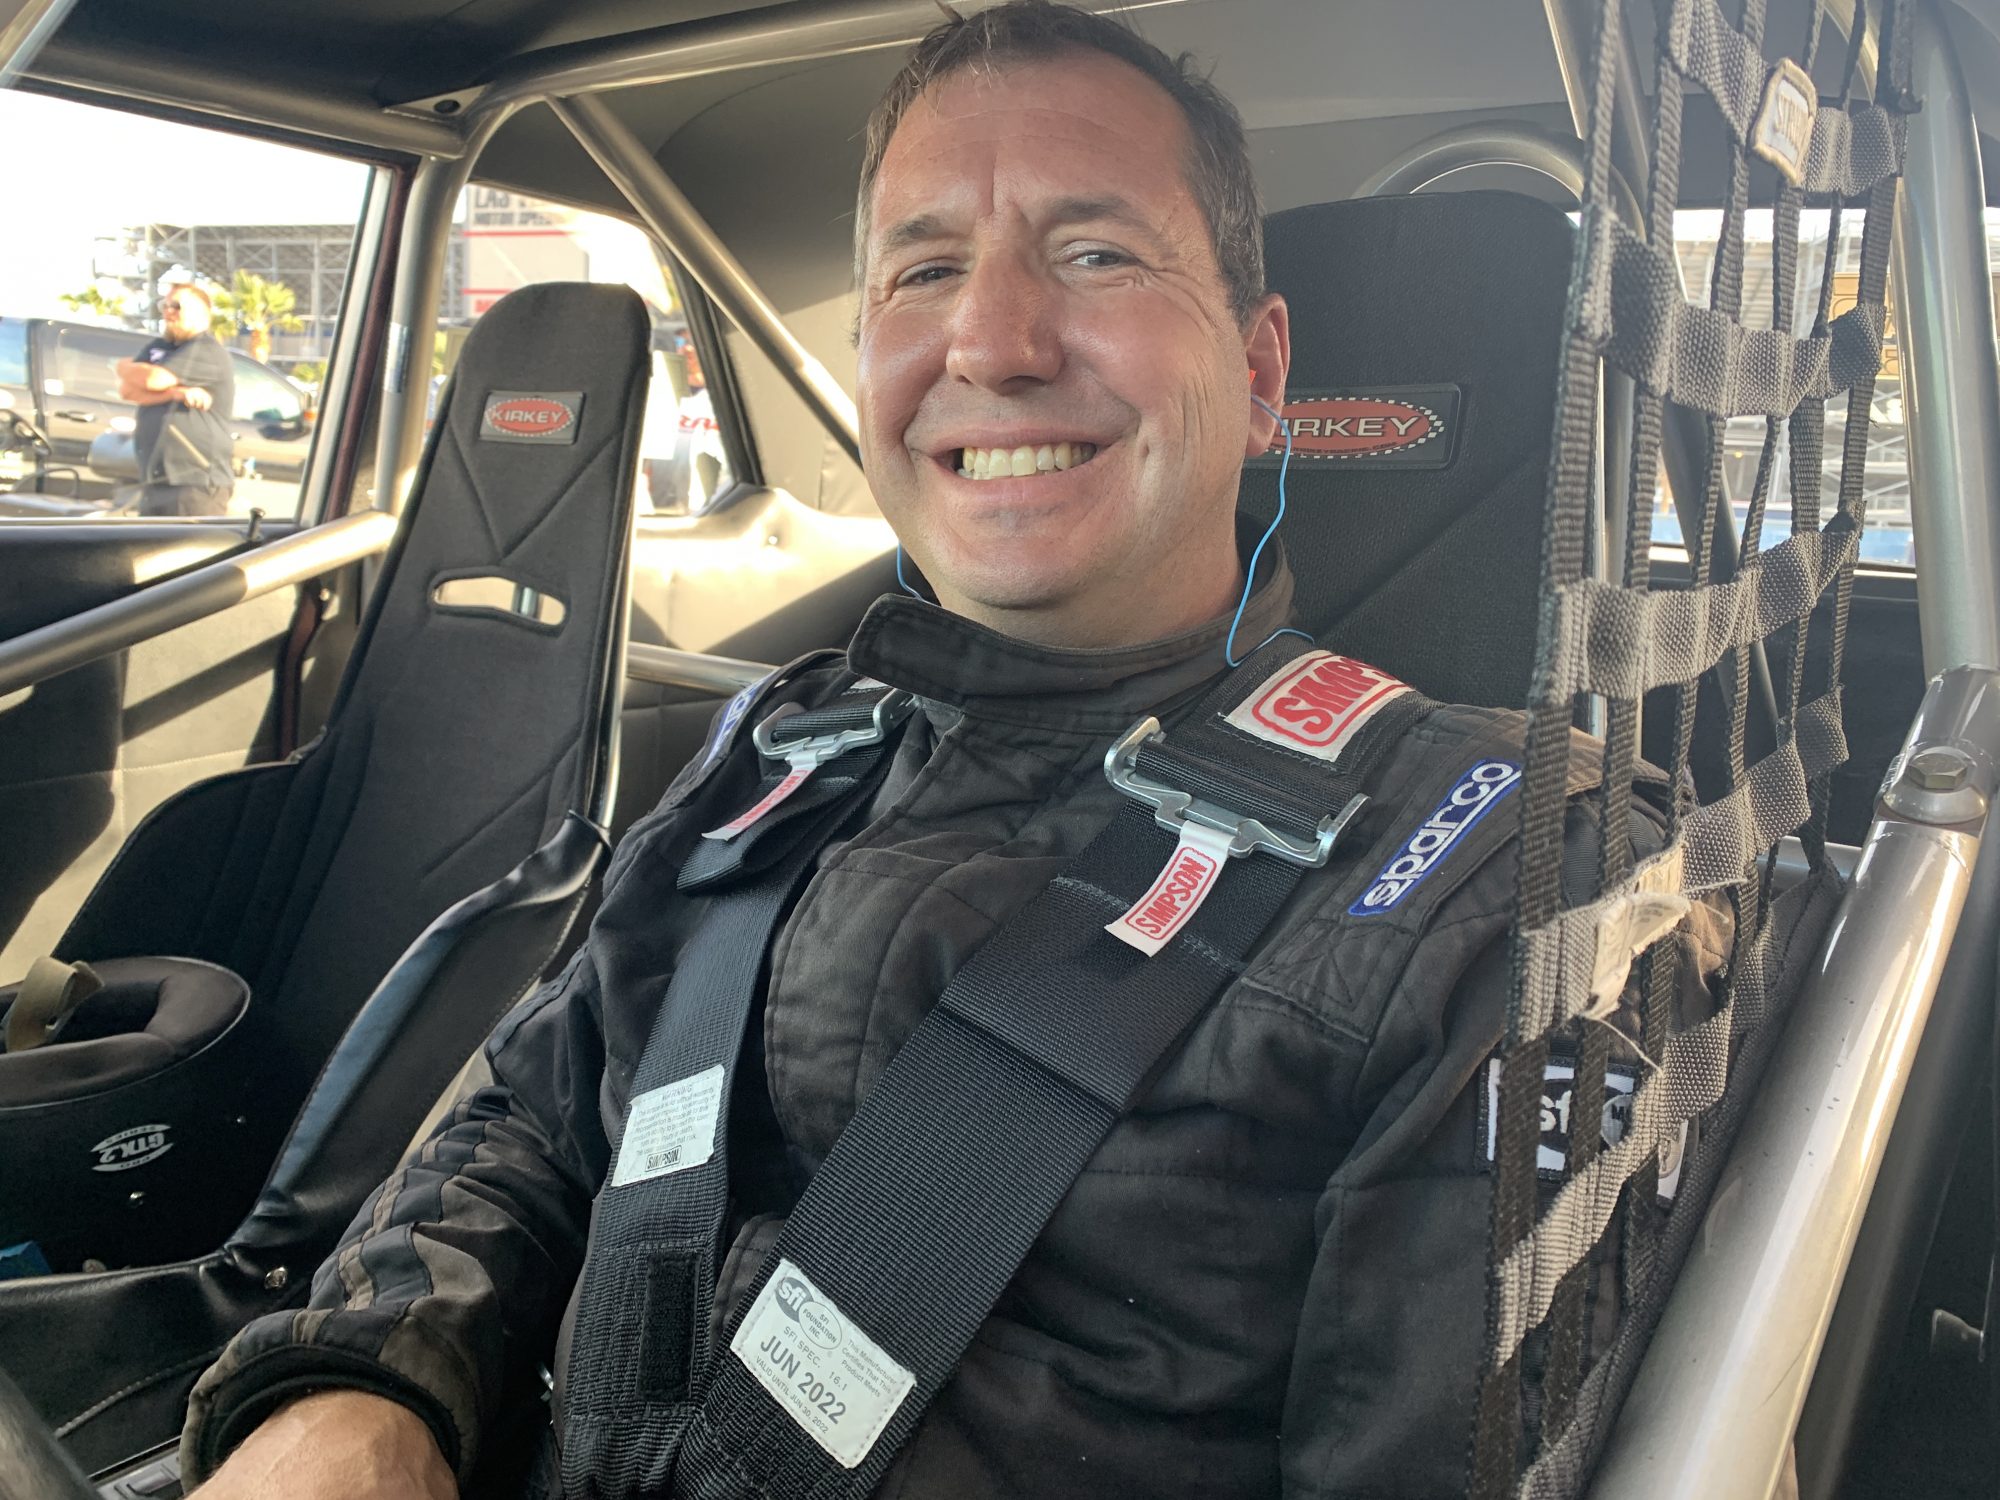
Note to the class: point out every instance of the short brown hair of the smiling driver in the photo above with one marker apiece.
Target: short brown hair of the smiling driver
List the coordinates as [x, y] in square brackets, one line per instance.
[1023, 31]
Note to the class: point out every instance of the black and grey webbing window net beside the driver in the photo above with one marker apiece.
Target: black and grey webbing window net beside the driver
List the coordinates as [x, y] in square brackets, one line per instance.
[1585, 975]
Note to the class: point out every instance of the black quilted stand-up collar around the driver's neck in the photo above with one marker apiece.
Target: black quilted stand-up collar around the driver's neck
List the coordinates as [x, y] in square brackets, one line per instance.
[985, 675]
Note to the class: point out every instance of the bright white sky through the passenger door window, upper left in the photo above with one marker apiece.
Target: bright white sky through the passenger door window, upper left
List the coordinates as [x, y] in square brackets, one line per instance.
[77, 173]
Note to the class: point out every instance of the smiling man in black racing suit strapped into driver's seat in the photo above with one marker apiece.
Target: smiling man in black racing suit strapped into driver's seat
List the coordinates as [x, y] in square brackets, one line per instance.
[1271, 1273]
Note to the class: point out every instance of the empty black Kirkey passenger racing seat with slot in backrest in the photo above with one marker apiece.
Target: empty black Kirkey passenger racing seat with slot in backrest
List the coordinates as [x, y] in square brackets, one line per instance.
[463, 773]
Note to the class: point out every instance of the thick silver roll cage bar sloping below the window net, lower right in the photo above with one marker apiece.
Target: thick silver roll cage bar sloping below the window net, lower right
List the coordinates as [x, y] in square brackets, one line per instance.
[1721, 1389]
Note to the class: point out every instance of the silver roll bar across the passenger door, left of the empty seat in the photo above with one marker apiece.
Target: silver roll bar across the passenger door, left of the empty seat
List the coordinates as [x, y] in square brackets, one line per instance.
[191, 597]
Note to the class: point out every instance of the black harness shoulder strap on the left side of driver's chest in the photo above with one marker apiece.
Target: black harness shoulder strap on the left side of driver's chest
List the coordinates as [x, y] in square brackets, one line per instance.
[641, 1341]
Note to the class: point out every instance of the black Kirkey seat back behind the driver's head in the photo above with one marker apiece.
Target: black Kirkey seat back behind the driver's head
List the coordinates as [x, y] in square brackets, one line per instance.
[1425, 345]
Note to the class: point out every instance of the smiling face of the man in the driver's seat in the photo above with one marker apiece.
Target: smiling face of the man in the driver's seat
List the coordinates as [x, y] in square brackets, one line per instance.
[1055, 391]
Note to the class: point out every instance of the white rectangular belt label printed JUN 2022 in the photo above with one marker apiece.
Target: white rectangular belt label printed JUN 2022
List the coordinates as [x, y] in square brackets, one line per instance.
[829, 1377]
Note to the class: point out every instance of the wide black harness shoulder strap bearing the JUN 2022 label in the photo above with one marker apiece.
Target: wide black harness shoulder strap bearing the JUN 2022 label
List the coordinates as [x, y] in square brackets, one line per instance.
[953, 1165]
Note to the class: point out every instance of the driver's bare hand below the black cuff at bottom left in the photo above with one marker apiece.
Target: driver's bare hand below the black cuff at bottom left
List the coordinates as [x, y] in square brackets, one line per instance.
[337, 1445]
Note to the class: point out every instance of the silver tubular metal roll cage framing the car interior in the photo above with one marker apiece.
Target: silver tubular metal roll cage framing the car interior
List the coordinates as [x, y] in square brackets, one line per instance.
[1727, 1379]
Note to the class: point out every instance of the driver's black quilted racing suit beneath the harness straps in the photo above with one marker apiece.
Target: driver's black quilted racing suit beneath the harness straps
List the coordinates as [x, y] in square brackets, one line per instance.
[1267, 1283]
